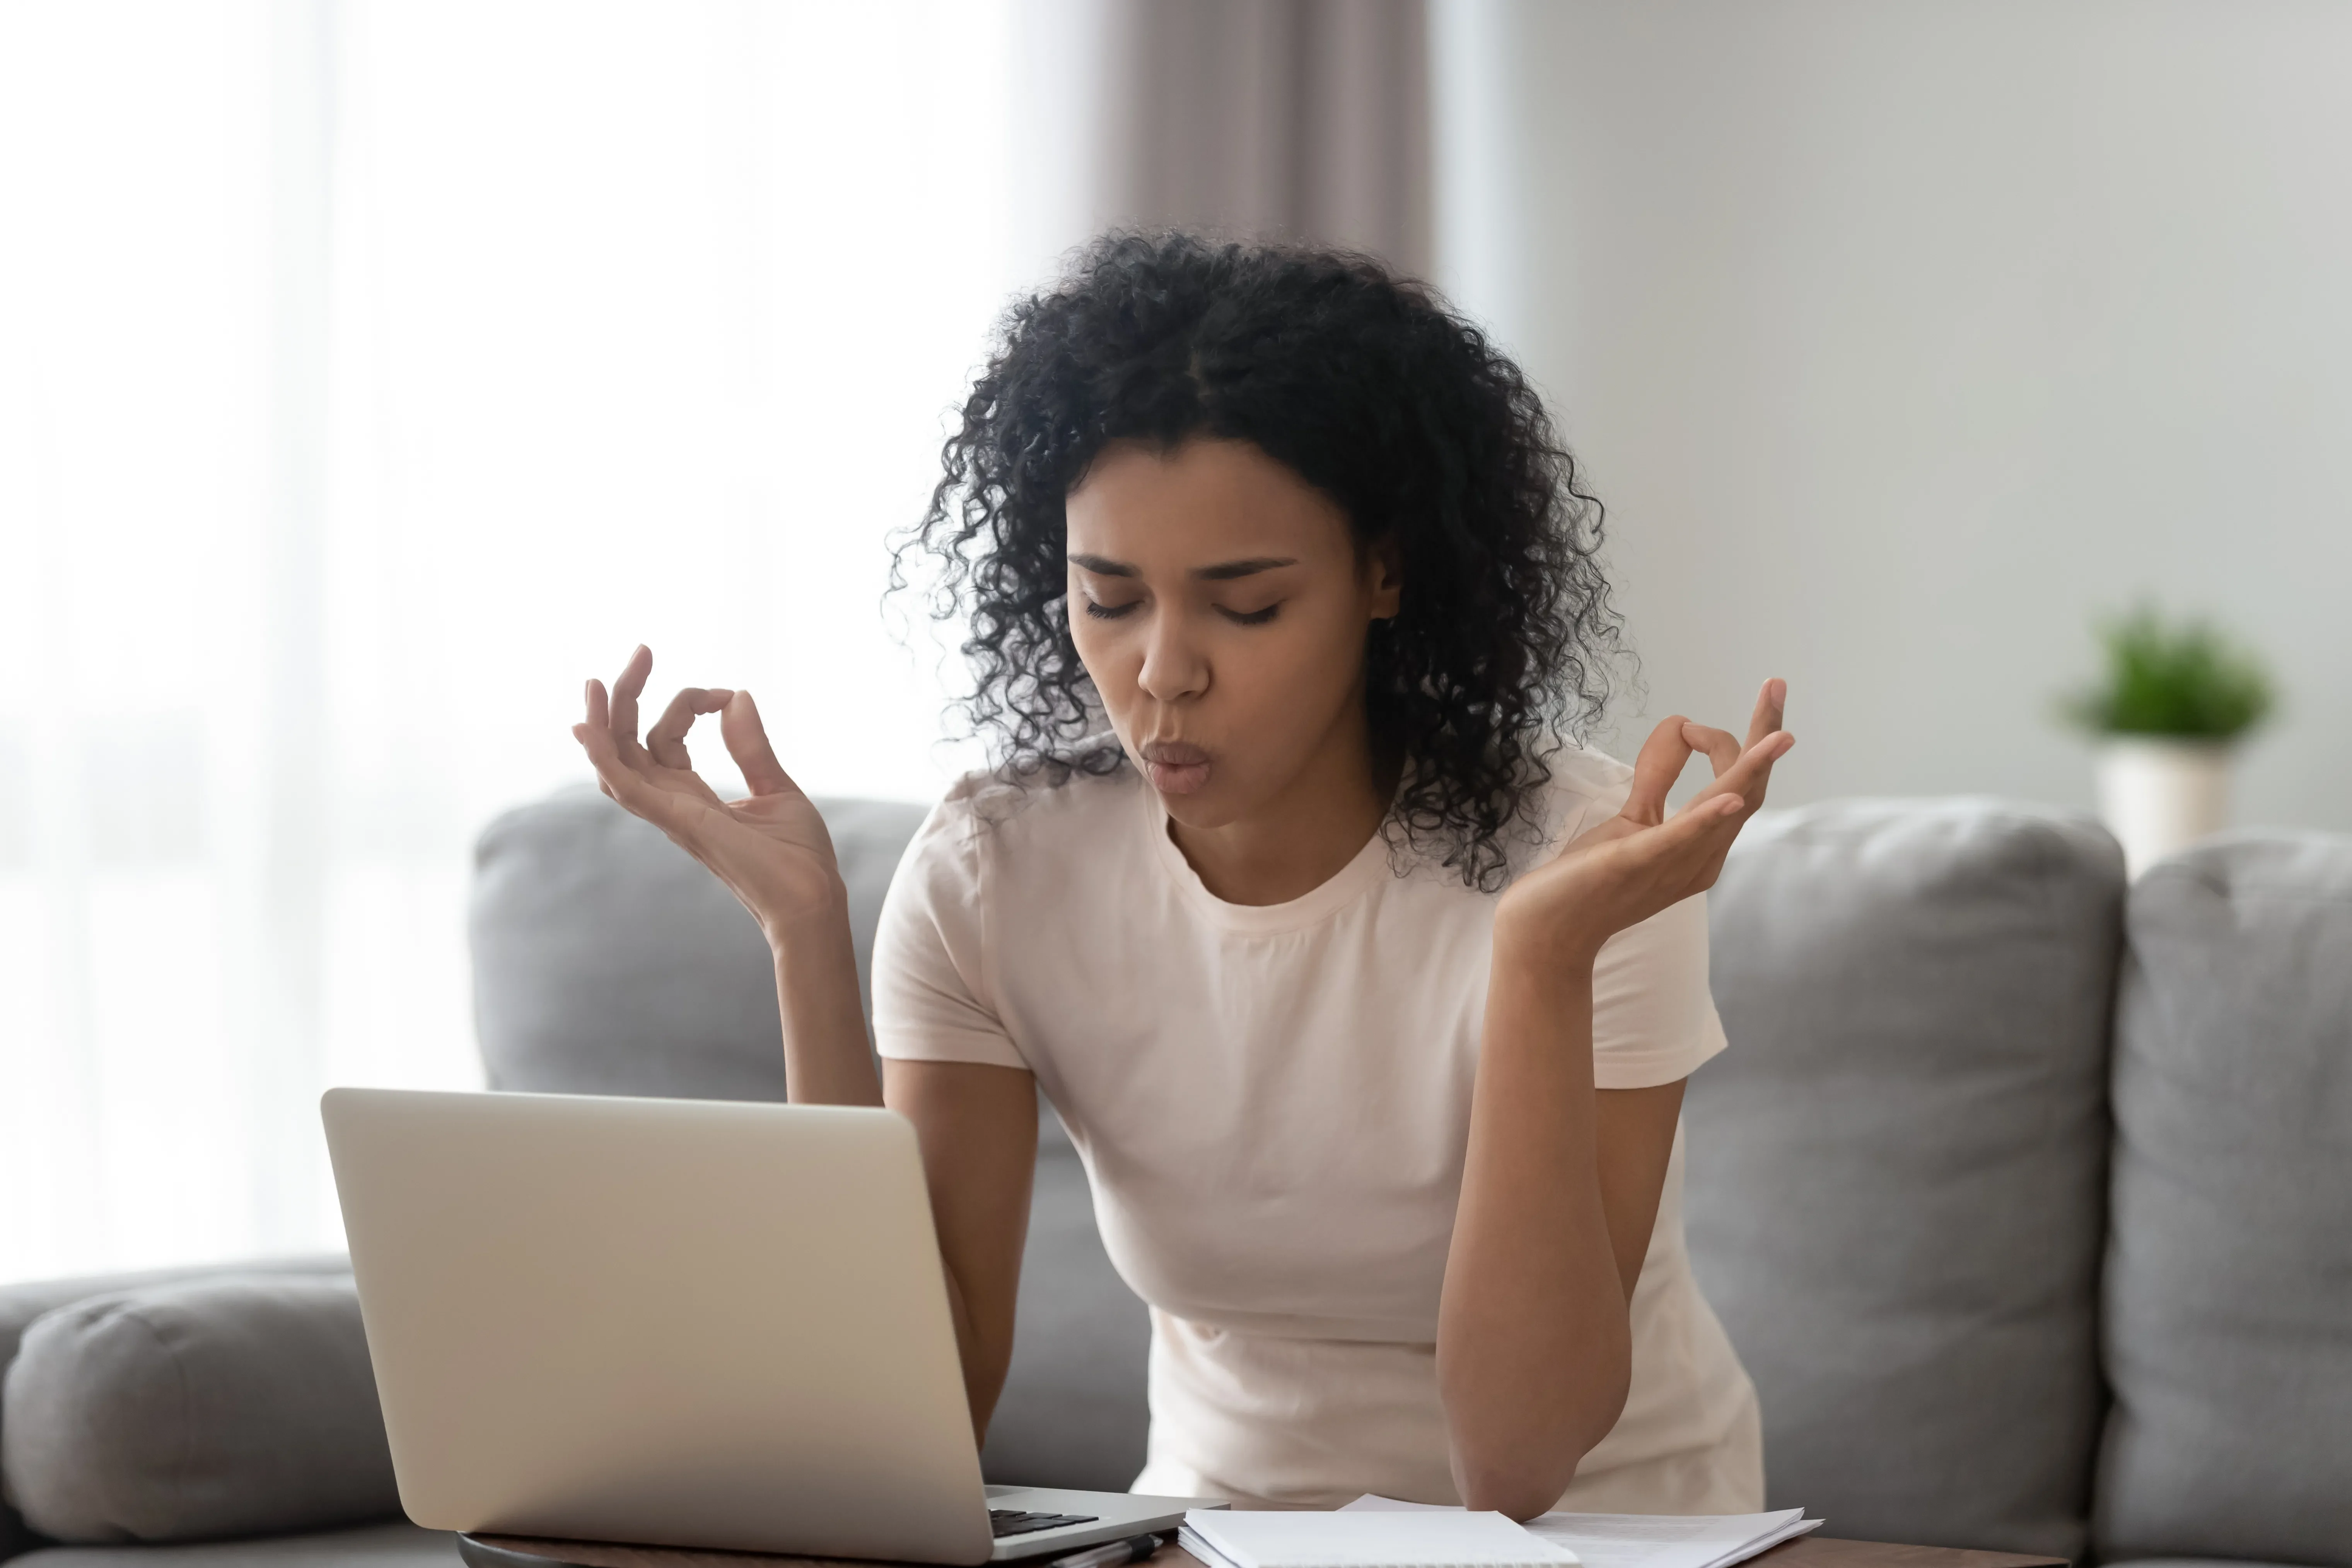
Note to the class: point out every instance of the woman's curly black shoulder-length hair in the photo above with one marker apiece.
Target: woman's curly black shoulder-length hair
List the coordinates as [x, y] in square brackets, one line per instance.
[1372, 391]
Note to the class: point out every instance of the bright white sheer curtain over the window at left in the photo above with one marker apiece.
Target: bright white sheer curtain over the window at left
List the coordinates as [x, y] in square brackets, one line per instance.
[370, 375]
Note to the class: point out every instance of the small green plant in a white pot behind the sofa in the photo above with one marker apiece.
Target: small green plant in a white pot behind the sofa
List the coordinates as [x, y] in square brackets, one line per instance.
[2174, 702]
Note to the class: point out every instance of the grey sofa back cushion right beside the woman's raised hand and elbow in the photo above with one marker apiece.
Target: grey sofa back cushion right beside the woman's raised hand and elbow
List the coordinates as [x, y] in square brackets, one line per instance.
[1895, 1188]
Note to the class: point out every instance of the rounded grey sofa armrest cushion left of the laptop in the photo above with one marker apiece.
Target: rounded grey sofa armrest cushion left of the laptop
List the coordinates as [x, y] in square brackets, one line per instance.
[199, 1409]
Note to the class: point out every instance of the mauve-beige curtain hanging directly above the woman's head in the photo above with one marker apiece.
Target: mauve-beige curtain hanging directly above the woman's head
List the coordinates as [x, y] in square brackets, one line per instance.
[1264, 119]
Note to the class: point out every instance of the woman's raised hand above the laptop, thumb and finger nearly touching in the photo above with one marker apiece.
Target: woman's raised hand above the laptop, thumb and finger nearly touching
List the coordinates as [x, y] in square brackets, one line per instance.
[770, 850]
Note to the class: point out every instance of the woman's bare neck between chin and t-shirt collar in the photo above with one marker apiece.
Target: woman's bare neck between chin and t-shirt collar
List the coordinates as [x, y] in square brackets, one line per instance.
[1302, 838]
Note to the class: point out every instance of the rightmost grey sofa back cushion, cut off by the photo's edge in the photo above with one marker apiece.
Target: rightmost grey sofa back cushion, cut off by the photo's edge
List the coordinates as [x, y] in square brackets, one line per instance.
[2229, 1299]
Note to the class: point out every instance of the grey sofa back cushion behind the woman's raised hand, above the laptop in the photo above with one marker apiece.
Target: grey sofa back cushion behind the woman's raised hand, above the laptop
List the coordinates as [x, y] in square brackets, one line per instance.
[608, 960]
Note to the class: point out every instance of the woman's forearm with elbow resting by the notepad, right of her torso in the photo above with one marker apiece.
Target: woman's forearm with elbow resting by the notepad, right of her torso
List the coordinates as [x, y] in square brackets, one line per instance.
[1532, 1336]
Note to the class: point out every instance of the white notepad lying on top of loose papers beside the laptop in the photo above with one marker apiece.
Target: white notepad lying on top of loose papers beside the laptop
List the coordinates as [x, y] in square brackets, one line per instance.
[1436, 1539]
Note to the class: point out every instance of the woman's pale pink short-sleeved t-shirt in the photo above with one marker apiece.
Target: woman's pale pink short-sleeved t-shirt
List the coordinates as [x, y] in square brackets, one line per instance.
[1274, 1108]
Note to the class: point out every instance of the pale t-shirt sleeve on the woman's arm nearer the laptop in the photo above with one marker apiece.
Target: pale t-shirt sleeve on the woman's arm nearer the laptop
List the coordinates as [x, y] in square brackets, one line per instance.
[933, 996]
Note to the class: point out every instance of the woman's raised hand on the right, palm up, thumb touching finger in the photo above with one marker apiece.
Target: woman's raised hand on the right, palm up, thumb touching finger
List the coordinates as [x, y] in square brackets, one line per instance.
[1641, 862]
